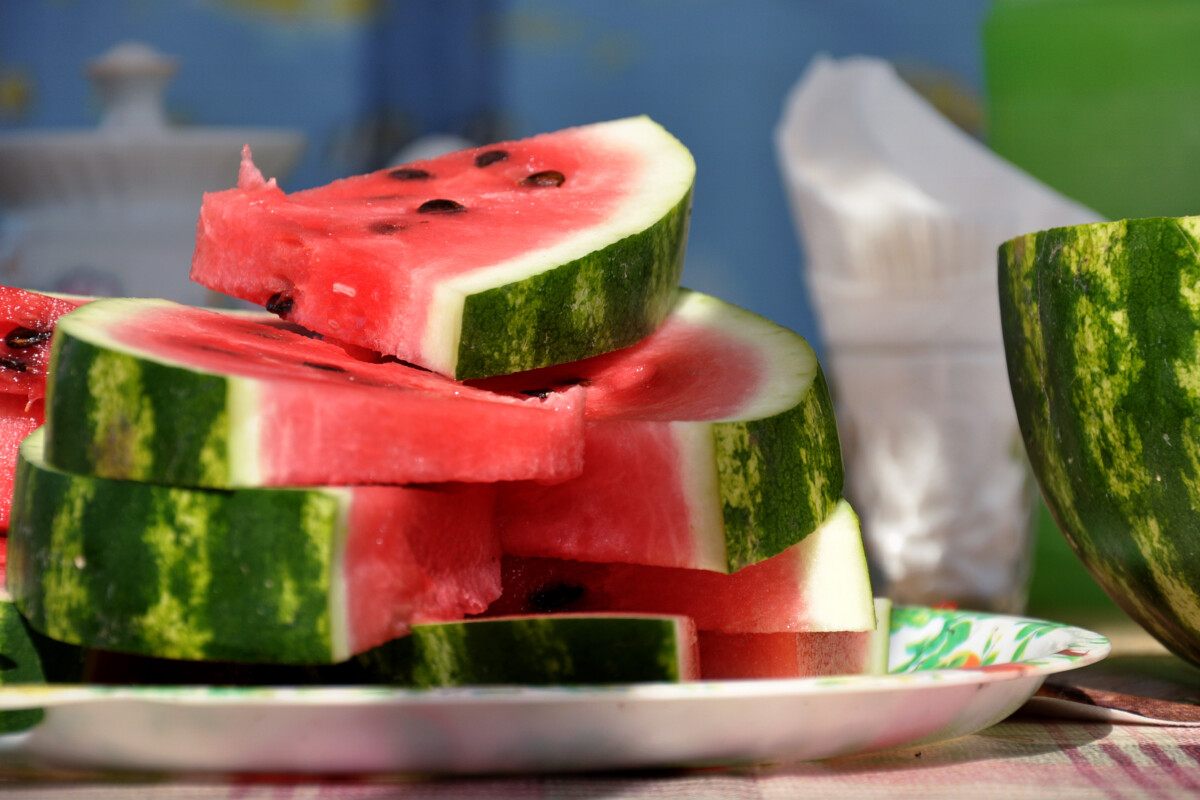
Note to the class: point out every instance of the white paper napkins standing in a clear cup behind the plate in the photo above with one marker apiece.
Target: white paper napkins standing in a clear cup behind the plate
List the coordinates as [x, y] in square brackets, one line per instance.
[901, 215]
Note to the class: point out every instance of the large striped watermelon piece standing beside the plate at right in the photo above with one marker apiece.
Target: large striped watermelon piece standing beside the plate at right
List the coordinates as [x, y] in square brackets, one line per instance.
[1102, 332]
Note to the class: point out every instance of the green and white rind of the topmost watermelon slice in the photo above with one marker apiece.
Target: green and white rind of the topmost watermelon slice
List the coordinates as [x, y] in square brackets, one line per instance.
[599, 291]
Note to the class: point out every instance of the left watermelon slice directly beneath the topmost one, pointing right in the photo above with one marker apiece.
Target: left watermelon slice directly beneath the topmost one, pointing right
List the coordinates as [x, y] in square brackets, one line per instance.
[155, 392]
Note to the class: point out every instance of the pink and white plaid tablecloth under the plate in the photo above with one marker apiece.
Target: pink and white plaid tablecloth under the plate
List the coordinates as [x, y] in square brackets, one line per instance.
[1022, 757]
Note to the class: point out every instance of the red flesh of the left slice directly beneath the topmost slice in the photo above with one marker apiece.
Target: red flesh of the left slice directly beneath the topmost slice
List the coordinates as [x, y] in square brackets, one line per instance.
[327, 418]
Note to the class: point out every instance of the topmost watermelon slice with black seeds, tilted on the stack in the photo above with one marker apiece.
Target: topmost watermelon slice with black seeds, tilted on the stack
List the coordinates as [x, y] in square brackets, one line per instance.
[477, 263]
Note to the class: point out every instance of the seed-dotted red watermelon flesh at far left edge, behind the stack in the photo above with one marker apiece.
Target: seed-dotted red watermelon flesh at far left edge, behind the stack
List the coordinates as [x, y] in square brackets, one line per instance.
[27, 322]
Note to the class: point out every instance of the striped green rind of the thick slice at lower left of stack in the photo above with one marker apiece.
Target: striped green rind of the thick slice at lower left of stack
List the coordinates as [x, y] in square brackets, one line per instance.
[237, 576]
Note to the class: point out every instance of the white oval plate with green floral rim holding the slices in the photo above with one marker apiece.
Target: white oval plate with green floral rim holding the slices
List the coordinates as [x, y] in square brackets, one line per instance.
[952, 673]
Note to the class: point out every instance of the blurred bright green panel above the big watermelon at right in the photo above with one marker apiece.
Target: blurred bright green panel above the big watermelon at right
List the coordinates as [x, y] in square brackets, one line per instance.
[1100, 99]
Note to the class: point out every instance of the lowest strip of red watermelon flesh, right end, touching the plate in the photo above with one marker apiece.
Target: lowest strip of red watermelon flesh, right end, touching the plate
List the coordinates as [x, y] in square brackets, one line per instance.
[728, 657]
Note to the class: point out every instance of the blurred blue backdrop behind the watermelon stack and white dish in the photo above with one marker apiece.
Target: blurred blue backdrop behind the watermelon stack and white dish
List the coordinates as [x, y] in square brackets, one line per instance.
[364, 79]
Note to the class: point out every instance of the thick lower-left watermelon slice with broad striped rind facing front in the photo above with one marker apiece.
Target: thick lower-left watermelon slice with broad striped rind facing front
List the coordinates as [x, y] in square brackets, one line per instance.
[293, 576]
